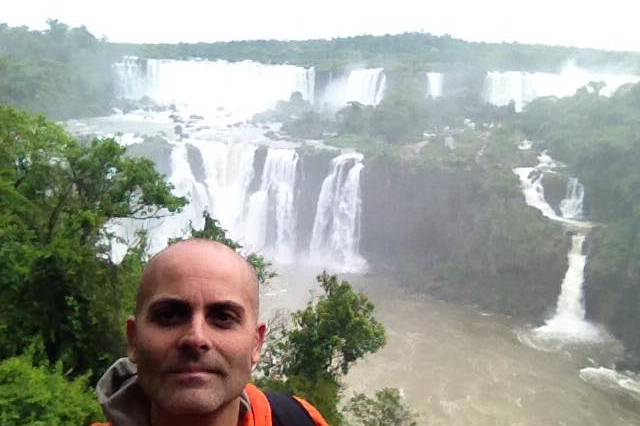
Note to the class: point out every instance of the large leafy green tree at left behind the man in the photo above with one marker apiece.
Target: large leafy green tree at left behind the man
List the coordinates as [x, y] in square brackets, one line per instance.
[58, 283]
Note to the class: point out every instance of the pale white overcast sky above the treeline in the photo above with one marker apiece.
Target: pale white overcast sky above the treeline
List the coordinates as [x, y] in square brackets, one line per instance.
[611, 24]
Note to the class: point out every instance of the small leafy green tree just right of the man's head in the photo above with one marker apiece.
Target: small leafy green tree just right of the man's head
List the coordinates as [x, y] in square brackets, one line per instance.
[326, 338]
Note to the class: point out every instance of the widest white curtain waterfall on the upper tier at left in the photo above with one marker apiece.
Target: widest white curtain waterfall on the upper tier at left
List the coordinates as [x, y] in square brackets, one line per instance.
[204, 87]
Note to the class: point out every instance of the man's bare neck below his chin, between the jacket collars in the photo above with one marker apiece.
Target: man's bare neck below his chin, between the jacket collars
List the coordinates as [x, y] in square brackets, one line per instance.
[227, 415]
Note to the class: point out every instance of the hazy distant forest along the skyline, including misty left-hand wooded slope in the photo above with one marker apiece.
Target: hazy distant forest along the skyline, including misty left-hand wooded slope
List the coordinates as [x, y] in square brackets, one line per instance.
[66, 72]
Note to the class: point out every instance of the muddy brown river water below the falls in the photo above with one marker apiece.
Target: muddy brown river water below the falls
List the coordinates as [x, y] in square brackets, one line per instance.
[458, 366]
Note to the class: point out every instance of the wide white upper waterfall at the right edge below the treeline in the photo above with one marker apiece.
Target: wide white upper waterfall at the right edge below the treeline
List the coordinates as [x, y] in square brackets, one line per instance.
[500, 88]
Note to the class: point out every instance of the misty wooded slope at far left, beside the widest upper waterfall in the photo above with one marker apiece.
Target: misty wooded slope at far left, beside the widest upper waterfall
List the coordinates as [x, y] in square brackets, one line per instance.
[63, 72]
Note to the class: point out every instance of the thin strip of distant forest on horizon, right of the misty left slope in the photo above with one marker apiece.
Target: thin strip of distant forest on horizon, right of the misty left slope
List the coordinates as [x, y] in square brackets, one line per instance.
[413, 50]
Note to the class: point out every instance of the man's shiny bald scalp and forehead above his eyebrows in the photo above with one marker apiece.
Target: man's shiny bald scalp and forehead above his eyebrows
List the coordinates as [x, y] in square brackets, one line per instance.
[201, 258]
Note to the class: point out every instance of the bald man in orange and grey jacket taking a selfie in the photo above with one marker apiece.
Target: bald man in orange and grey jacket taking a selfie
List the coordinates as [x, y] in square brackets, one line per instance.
[192, 345]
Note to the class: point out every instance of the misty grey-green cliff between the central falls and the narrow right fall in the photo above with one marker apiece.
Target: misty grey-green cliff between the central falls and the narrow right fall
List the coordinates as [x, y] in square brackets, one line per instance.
[448, 232]
